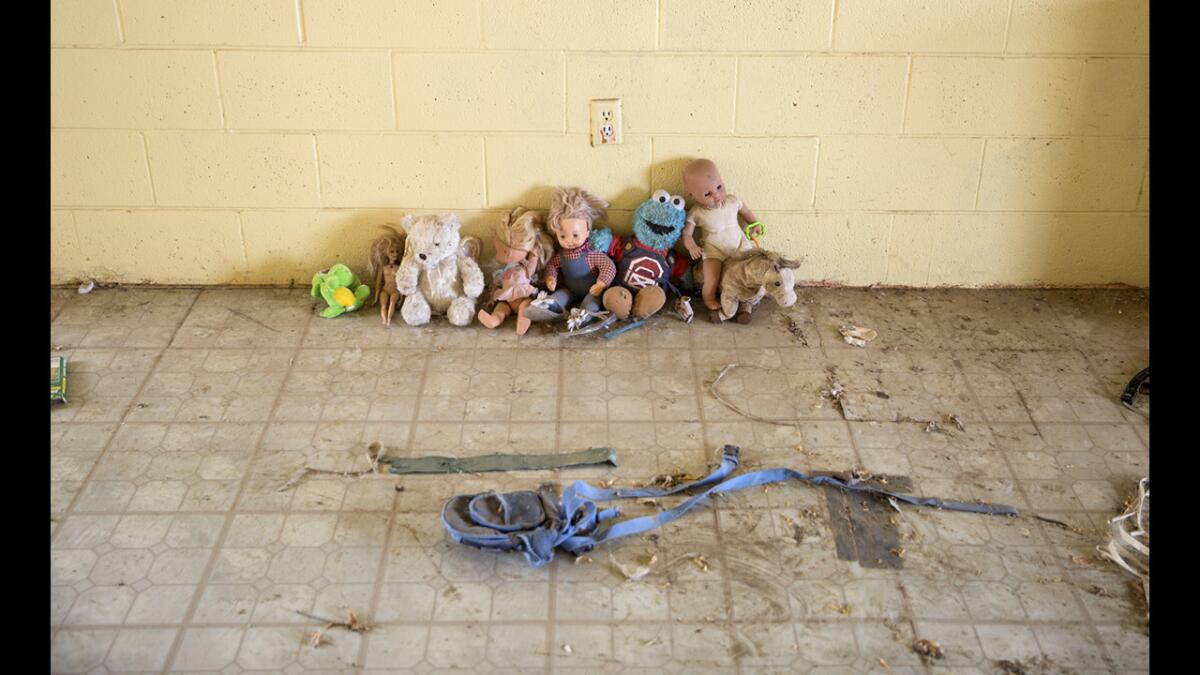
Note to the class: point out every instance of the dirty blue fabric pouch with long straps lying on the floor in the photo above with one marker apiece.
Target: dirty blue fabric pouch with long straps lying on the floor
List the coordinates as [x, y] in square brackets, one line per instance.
[525, 521]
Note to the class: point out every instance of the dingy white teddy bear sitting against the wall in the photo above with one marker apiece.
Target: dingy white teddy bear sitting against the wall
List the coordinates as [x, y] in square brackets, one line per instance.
[439, 274]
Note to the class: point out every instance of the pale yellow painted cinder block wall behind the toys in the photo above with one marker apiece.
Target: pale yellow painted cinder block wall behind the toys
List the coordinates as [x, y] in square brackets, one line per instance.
[967, 144]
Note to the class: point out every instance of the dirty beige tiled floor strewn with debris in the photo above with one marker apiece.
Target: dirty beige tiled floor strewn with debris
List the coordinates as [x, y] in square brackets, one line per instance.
[173, 548]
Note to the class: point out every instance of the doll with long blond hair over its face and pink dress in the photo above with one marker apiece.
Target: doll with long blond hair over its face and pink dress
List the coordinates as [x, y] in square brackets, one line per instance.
[523, 249]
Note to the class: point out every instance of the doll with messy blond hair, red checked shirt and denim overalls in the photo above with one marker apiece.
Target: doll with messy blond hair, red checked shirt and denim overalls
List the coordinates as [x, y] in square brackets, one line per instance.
[584, 273]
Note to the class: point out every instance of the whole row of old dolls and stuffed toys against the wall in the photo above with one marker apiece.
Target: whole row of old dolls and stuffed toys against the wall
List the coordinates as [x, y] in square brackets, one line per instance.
[428, 268]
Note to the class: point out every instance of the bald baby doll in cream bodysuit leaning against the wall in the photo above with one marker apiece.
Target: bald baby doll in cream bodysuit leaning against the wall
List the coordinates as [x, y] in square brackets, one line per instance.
[716, 213]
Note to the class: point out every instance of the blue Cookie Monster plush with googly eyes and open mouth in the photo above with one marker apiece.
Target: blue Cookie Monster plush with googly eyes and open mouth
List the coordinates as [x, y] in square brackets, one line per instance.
[646, 264]
